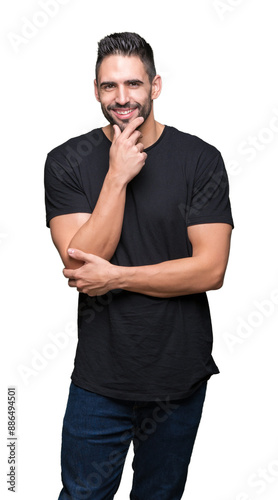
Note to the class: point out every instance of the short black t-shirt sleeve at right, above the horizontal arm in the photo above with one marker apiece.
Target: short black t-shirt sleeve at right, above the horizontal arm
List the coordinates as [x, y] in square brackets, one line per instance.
[210, 200]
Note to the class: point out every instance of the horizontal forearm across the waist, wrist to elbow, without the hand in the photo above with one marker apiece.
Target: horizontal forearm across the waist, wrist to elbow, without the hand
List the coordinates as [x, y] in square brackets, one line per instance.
[171, 278]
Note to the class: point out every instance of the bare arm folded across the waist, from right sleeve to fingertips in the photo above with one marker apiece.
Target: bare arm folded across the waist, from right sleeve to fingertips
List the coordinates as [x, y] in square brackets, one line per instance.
[203, 271]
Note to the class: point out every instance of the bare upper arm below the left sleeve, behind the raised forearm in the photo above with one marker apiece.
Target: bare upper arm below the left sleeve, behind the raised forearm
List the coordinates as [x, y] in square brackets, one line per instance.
[63, 228]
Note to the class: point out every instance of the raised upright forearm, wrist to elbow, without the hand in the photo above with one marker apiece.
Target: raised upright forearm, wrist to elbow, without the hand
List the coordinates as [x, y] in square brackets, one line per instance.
[101, 233]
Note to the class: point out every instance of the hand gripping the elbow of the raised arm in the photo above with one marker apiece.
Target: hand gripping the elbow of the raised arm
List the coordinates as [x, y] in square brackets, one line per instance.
[95, 277]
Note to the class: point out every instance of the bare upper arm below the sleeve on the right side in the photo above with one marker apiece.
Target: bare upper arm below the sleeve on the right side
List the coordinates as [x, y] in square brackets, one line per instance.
[211, 243]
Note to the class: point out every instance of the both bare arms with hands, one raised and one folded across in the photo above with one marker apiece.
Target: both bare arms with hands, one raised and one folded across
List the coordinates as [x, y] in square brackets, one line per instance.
[87, 242]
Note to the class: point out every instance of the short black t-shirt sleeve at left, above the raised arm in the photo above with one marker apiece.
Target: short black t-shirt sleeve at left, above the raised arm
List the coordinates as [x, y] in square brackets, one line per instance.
[63, 189]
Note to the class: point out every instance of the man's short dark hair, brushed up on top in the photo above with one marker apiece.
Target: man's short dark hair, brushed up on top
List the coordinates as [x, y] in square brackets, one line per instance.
[127, 44]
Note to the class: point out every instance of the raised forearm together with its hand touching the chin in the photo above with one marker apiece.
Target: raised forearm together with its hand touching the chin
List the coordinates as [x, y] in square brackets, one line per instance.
[100, 233]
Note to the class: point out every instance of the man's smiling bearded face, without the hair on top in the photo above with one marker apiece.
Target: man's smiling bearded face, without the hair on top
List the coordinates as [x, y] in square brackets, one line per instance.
[123, 89]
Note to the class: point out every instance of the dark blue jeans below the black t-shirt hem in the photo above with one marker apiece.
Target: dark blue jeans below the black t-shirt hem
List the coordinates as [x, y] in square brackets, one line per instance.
[97, 433]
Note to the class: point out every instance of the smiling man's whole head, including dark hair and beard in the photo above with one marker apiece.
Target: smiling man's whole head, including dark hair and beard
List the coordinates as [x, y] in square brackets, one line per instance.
[126, 82]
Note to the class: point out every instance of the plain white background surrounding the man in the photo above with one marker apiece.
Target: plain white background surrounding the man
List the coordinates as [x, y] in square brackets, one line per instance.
[218, 61]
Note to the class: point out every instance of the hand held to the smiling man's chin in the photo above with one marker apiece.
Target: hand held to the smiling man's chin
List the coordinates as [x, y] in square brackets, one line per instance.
[127, 156]
